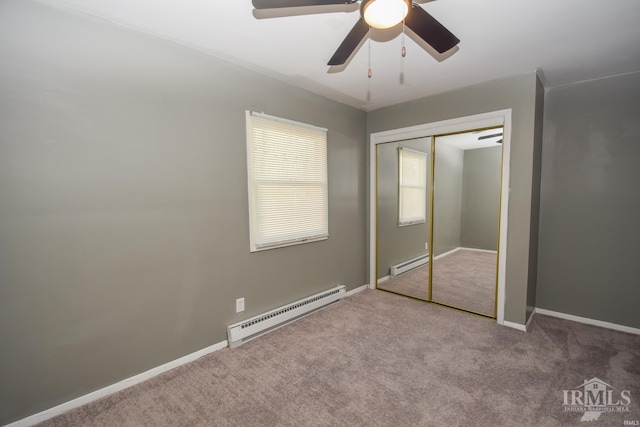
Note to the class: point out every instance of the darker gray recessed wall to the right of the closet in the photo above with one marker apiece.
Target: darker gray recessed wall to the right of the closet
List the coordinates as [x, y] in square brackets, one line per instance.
[590, 201]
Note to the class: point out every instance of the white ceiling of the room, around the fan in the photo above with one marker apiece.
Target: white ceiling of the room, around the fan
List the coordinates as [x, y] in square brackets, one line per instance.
[569, 40]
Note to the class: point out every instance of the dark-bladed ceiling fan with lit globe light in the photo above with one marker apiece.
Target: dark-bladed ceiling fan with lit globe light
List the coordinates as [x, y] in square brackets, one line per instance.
[379, 14]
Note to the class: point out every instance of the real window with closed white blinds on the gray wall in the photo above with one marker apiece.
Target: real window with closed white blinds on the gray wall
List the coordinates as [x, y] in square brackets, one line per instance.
[287, 176]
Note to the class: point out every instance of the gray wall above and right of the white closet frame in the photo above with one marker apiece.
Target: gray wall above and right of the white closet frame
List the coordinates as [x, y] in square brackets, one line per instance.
[521, 94]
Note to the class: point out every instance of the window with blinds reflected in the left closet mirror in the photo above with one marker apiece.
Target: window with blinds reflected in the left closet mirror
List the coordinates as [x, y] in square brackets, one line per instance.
[412, 194]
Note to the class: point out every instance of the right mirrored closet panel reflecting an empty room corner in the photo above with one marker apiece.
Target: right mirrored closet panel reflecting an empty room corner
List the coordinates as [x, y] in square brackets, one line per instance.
[466, 201]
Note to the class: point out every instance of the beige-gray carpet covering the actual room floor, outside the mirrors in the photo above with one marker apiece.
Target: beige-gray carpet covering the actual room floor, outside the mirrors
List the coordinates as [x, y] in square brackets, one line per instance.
[380, 359]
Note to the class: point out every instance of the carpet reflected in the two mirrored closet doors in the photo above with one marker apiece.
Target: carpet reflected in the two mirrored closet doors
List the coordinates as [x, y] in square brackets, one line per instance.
[464, 279]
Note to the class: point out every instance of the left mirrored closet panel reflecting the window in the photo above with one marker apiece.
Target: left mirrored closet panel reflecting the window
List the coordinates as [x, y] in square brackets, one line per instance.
[402, 221]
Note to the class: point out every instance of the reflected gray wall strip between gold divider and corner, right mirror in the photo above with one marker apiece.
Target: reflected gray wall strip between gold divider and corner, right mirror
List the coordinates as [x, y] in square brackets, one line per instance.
[447, 197]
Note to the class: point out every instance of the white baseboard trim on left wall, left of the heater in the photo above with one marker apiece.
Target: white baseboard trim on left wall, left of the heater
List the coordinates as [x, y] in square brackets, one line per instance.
[113, 388]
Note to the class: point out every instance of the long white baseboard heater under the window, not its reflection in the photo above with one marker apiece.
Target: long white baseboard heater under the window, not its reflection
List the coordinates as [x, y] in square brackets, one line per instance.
[251, 328]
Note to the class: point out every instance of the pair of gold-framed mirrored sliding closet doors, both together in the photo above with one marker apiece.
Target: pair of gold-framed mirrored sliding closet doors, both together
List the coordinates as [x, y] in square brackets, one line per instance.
[438, 204]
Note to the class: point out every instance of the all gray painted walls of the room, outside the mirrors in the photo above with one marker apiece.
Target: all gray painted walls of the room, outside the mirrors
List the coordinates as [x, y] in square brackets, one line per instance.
[123, 206]
